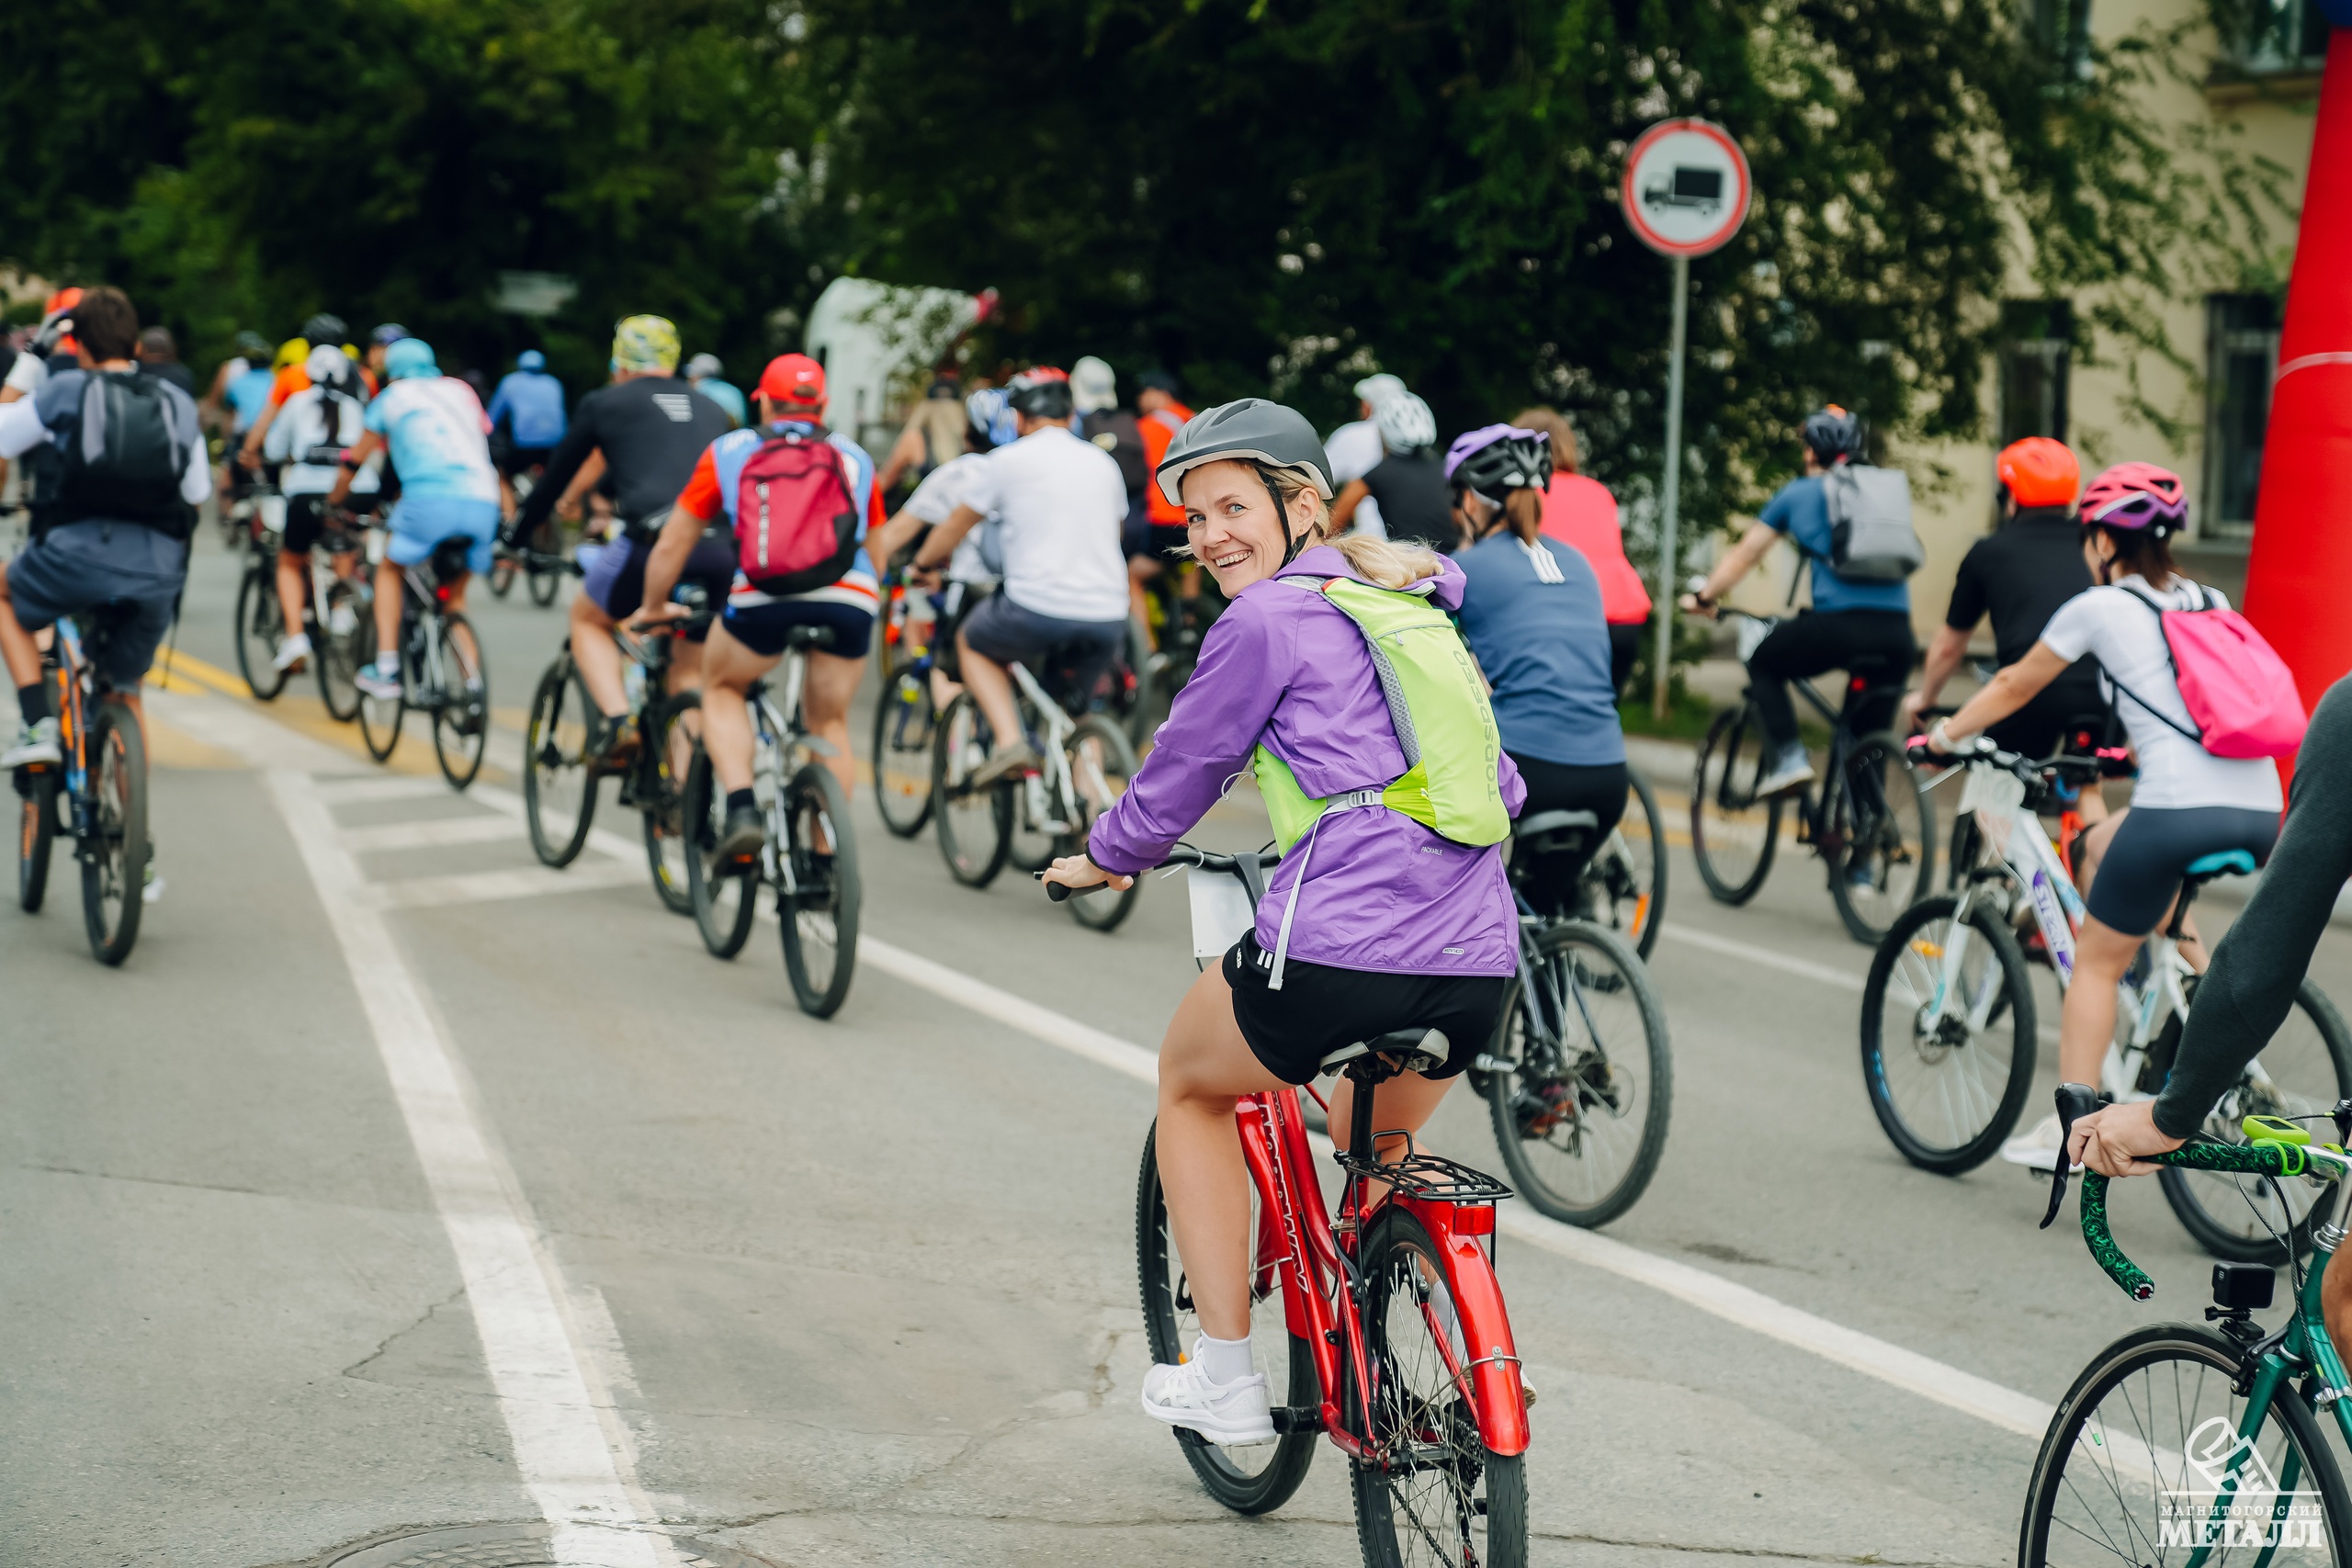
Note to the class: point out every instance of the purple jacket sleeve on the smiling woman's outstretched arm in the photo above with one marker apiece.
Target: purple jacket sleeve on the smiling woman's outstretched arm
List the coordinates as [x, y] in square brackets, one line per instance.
[1208, 739]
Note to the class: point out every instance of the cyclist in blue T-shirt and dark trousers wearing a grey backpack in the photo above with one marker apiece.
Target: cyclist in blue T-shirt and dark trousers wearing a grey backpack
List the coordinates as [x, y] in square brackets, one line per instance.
[1847, 624]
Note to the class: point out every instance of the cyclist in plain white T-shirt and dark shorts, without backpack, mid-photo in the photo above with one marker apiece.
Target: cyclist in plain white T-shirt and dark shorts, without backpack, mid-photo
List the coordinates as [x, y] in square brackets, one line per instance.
[1062, 610]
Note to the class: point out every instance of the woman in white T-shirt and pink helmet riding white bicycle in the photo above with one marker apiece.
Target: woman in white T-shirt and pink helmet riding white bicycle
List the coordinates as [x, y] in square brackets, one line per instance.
[2186, 805]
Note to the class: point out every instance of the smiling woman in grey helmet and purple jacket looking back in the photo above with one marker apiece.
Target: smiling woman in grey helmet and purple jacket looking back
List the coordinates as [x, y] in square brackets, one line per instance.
[1396, 927]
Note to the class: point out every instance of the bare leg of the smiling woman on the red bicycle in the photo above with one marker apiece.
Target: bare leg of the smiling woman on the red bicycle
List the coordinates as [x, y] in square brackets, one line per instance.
[1205, 1066]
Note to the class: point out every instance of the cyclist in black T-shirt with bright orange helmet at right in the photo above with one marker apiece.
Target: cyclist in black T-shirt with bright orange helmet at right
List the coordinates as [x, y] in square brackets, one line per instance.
[2022, 575]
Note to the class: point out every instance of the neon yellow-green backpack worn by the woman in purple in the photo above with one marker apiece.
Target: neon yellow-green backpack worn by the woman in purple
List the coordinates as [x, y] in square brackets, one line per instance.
[1445, 730]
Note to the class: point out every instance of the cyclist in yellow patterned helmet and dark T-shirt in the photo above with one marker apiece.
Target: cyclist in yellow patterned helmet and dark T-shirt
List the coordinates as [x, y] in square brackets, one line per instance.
[650, 429]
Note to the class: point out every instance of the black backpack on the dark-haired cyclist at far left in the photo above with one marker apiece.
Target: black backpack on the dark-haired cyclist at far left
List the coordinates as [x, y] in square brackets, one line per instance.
[126, 453]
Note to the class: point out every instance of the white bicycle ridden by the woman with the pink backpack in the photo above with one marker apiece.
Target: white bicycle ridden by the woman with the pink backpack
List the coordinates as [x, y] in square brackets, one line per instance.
[1951, 1026]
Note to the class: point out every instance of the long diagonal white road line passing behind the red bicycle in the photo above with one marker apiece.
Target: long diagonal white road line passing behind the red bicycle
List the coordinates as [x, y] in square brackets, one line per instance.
[1713, 1294]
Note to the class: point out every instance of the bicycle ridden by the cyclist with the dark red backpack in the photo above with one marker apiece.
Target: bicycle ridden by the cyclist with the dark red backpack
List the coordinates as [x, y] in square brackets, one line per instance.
[810, 855]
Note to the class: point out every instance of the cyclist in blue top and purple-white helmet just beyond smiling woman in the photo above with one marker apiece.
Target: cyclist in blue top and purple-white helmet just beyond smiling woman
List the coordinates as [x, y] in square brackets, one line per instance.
[1532, 615]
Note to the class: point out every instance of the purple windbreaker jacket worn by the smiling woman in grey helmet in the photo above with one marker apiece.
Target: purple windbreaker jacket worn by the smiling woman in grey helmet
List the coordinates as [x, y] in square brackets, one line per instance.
[1384, 892]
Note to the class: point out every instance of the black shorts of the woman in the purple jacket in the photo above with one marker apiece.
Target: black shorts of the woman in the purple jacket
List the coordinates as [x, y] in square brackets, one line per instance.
[1323, 1010]
